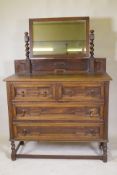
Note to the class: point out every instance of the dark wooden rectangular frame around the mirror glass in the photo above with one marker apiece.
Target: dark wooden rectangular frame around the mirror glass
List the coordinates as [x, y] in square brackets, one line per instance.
[31, 20]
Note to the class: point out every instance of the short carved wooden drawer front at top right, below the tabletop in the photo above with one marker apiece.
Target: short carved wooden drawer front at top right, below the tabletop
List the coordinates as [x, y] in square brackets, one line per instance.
[82, 91]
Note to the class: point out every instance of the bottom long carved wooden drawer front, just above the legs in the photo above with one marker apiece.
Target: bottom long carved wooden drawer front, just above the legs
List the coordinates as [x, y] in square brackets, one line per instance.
[58, 132]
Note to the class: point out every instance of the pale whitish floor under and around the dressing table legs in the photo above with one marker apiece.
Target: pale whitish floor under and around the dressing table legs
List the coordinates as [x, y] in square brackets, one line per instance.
[57, 167]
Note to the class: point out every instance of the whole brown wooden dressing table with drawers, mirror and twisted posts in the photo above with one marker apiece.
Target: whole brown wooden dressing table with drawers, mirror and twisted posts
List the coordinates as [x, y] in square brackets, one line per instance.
[59, 93]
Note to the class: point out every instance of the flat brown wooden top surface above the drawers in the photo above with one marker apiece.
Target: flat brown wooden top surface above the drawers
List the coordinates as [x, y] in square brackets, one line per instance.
[76, 77]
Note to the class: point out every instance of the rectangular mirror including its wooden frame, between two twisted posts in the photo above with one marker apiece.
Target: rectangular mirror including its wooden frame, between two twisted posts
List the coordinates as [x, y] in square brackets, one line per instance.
[59, 36]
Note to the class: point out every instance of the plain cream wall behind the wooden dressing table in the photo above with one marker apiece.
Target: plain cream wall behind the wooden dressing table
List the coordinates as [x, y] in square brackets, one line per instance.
[14, 15]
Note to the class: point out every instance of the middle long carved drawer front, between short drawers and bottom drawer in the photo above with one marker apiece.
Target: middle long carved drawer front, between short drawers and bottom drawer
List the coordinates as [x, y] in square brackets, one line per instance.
[58, 112]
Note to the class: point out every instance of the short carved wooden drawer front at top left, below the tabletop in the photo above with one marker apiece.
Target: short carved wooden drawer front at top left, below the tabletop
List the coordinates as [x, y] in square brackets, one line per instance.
[33, 91]
